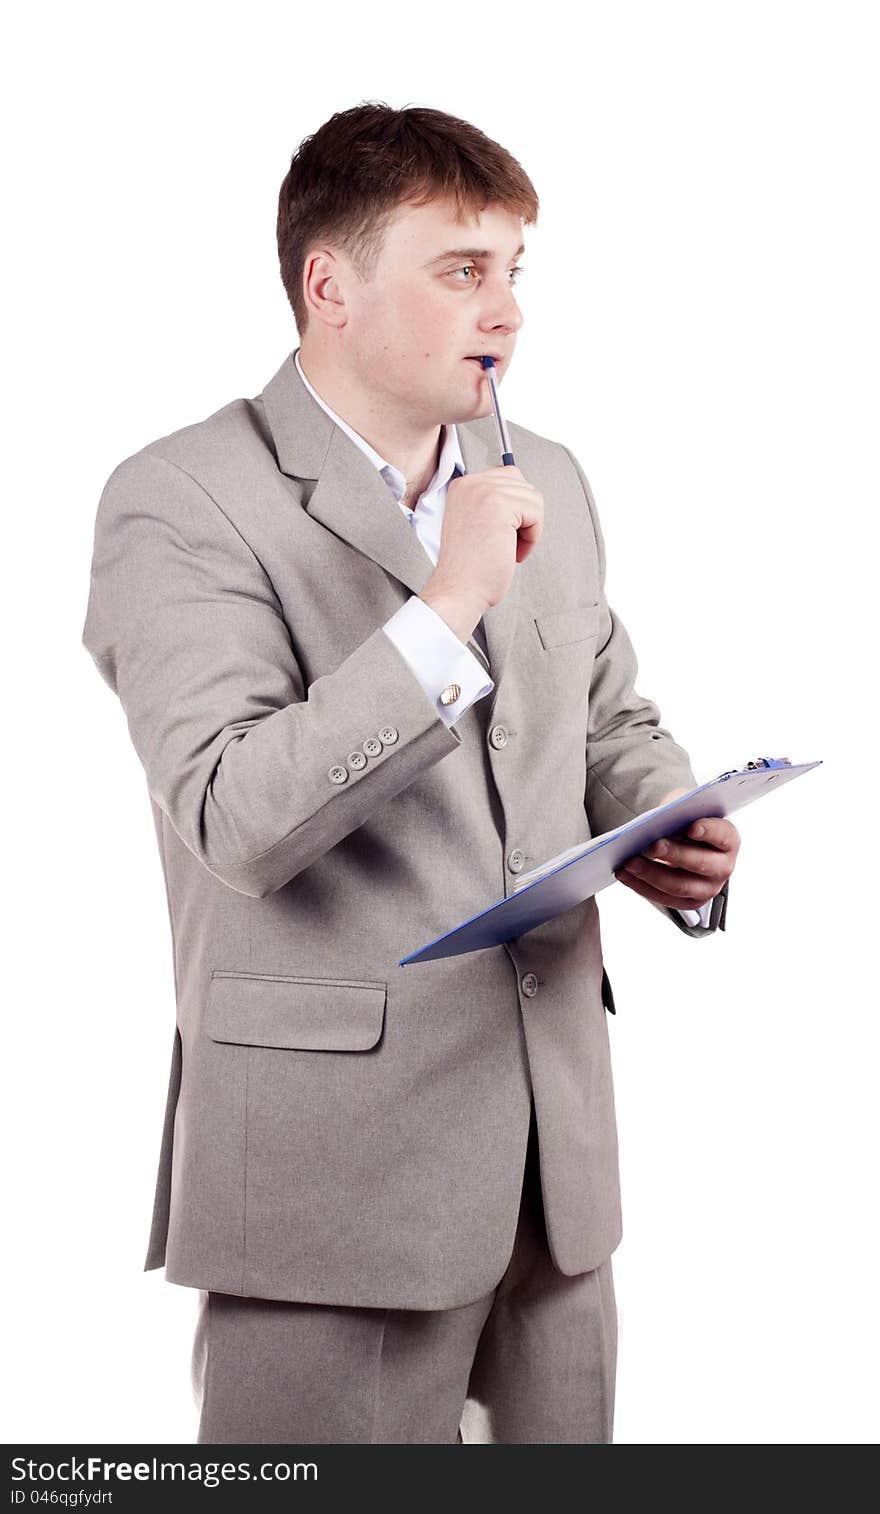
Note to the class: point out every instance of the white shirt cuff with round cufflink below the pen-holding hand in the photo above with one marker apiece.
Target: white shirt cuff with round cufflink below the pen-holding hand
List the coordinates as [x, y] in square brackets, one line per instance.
[437, 658]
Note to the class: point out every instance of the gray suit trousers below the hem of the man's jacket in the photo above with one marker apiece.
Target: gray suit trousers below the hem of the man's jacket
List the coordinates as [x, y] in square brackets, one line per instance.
[532, 1362]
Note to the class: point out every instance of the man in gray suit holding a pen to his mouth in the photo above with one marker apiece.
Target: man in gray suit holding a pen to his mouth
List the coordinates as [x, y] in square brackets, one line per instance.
[372, 676]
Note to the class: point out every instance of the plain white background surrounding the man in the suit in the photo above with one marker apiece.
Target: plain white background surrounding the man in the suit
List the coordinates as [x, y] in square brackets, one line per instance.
[702, 329]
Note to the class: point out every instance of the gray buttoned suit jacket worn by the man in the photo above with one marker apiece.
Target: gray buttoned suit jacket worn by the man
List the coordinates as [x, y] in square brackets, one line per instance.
[340, 1129]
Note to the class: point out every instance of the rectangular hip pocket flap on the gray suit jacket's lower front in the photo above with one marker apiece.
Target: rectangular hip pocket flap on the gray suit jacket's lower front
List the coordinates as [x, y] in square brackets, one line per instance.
[255, 1009]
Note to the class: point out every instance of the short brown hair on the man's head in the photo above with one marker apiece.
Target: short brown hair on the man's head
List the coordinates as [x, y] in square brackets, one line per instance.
[349, 178]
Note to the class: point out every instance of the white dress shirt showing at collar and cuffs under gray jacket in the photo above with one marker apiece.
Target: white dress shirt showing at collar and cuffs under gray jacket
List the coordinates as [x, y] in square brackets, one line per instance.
[437, 656]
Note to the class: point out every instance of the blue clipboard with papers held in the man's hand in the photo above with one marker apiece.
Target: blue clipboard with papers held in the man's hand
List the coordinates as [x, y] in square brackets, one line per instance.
[596, 862]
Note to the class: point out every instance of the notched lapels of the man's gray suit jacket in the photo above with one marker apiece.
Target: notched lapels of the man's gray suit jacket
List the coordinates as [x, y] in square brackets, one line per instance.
[354, 502]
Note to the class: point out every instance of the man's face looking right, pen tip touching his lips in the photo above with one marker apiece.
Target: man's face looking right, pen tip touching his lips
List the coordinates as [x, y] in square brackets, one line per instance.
[442, 294]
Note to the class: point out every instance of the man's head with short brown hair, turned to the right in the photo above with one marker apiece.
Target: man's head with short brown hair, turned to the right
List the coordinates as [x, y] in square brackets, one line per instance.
[399, 234]
